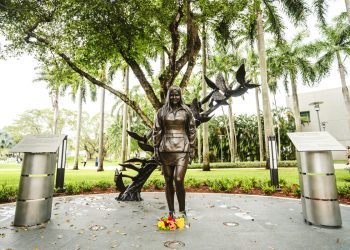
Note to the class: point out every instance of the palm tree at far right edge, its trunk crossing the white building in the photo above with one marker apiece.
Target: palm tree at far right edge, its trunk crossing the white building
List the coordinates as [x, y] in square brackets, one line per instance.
[334, 47]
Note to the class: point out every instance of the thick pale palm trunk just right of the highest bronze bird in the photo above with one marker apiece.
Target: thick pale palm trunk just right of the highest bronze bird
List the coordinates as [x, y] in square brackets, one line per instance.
[268, 124]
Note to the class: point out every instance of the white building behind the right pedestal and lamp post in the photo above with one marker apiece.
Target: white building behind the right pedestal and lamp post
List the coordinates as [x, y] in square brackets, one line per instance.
[330, 115]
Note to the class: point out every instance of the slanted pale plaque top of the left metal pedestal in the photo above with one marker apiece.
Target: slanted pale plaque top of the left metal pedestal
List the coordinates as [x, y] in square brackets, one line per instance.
[39, 144]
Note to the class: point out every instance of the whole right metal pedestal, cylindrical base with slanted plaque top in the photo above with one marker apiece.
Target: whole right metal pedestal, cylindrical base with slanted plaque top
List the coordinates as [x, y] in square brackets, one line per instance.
[319, 196]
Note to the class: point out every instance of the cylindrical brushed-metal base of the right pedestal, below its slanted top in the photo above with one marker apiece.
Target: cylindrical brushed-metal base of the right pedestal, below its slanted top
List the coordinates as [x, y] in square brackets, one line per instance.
[319, 196]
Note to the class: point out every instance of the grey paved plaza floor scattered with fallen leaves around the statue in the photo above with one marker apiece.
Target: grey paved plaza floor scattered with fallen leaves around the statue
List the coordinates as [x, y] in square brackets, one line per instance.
[216, 221]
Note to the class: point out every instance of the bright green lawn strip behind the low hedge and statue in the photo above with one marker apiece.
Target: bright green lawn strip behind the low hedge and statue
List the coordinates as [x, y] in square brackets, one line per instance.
[10, 173]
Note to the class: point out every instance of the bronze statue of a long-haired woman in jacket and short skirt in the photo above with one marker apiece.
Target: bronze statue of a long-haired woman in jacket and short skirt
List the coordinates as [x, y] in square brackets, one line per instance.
[174, 137]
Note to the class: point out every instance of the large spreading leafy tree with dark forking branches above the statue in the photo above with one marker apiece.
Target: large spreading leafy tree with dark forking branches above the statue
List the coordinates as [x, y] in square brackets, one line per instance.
[84, 36]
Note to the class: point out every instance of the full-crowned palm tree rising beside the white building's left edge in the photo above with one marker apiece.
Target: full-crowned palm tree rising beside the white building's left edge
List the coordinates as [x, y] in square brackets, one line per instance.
[288, 60]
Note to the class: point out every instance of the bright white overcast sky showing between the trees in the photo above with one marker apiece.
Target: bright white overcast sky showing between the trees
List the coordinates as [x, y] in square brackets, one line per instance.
[19, 93]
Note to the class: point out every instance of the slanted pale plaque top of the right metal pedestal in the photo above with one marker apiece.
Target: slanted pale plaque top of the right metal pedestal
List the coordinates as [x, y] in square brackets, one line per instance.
[315, 141]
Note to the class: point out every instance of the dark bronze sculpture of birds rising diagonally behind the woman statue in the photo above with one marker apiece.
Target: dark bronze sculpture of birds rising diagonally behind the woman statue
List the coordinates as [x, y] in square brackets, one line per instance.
[218, 96]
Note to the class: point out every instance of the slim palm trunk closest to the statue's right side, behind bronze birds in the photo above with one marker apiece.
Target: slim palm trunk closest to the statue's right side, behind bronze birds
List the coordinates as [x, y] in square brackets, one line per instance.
[206, 162]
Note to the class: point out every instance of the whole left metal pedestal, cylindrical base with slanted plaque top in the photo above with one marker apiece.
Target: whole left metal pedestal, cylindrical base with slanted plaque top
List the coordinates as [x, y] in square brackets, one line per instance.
[34, 200]
